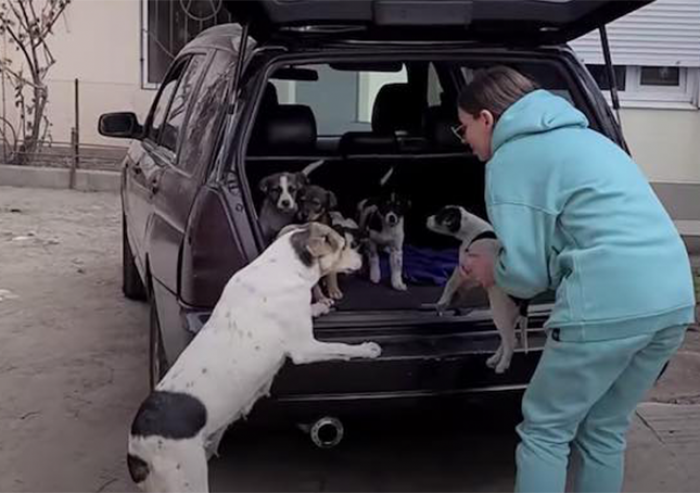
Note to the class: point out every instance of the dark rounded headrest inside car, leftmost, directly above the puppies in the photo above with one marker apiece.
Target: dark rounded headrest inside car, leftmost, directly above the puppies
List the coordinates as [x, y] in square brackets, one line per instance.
[289, 127]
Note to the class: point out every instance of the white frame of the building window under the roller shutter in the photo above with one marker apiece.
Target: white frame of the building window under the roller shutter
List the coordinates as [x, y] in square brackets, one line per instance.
[684, 96]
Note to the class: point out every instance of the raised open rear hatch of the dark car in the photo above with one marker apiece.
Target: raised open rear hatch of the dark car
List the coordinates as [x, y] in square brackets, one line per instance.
[538, 22]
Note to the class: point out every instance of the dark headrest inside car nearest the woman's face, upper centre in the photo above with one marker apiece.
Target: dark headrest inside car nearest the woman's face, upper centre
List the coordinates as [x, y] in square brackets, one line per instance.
[396, 109]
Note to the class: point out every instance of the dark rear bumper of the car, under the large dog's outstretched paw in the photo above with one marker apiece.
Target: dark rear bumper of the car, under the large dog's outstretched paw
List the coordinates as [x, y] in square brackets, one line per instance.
[421, 364]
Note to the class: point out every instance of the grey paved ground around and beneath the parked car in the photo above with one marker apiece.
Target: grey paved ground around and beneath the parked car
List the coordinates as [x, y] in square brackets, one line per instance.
[73, 365]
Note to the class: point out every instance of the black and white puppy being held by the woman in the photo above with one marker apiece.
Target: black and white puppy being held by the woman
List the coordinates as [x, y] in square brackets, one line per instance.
[477, 237]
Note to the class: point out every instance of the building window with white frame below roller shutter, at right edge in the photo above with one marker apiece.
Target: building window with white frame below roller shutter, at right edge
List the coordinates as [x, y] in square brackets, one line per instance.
[651, 86]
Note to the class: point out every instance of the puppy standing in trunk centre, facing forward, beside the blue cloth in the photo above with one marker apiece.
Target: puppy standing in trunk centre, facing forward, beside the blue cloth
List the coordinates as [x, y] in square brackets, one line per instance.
[382, 220]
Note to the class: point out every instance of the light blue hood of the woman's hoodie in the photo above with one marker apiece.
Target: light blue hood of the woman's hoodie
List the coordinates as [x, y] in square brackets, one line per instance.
[540, 111]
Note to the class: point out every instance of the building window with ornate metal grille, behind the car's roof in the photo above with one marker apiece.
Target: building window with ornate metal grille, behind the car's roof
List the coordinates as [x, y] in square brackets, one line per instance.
[168, 25]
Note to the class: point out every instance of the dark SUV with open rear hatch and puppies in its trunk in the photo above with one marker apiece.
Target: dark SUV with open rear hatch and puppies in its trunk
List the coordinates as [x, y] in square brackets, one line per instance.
[365, 86]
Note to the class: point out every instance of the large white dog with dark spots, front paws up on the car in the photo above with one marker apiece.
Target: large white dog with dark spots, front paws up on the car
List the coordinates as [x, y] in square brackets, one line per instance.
[262, 318]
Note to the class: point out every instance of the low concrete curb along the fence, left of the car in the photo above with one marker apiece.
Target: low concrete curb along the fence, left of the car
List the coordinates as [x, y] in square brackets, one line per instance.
[36, 177]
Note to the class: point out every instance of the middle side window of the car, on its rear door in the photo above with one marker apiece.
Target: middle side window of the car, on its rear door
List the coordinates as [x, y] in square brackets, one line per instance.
[178, 109]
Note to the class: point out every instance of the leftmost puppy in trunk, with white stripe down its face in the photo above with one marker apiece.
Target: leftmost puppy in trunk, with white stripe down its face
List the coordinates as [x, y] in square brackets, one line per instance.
[279, 207]
